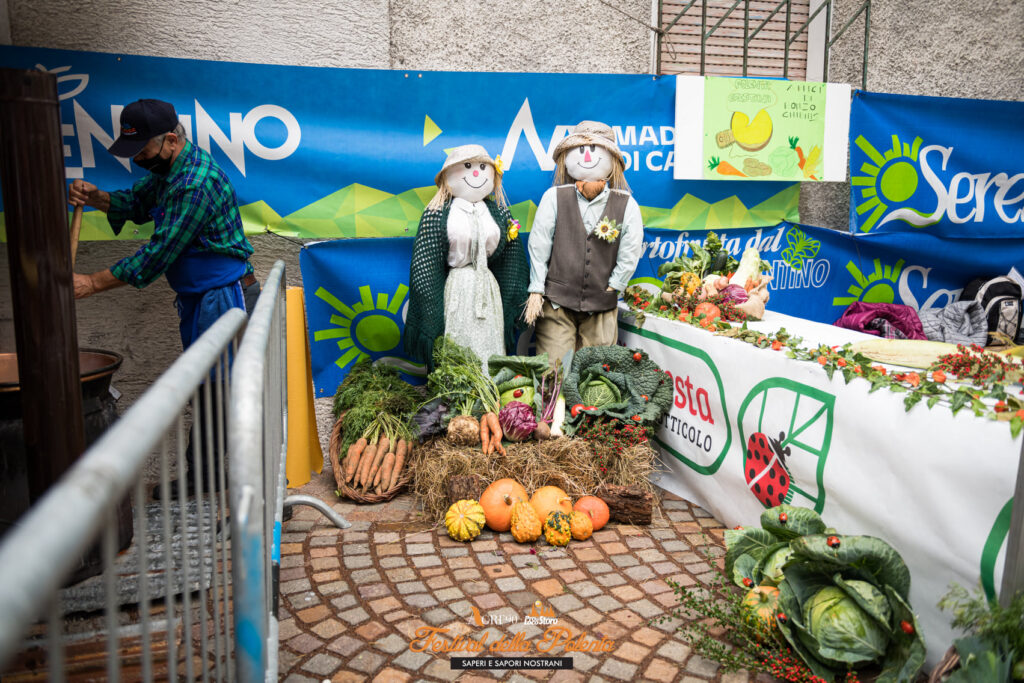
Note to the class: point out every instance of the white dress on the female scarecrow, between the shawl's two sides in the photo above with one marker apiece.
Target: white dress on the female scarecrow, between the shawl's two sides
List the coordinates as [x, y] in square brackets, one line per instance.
[474, 314]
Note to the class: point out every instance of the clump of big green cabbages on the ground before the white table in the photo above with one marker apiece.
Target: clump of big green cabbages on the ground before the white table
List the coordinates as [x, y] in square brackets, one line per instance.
[844, 597]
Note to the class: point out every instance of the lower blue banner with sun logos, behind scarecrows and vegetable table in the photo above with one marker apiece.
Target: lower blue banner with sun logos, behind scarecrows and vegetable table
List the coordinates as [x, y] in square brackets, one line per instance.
[356, 312]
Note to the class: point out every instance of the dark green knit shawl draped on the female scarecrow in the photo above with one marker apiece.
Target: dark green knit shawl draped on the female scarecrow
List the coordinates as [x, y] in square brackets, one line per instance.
[429, 272]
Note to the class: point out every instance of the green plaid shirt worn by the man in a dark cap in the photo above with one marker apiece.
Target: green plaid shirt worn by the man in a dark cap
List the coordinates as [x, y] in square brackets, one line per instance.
[199, 208]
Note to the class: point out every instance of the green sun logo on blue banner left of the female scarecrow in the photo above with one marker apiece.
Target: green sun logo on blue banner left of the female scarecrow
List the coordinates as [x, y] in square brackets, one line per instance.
[367, 328]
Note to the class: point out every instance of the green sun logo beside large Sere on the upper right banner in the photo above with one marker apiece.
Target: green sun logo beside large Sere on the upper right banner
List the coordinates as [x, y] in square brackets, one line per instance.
[891, 180]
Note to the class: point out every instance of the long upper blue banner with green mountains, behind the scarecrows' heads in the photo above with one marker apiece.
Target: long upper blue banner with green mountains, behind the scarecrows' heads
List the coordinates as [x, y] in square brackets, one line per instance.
[317, 152]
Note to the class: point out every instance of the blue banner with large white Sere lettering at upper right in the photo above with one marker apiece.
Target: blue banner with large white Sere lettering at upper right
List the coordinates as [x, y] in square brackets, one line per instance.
[952, 168]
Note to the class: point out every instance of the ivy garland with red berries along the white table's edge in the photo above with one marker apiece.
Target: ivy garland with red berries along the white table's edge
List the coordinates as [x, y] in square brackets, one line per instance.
[928, 387]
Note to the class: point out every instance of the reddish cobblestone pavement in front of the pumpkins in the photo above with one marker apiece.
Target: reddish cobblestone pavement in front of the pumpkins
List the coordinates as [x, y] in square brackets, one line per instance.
[354, 602]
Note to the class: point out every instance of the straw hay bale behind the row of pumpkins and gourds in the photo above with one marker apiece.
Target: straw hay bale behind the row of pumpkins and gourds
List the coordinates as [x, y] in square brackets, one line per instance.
[567, 463]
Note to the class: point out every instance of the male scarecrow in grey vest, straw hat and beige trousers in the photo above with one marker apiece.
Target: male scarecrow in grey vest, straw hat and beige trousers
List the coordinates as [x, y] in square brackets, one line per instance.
[584, 246]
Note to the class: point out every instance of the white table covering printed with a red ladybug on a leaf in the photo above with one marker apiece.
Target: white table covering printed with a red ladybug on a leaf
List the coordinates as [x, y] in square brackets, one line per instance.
[750, 429]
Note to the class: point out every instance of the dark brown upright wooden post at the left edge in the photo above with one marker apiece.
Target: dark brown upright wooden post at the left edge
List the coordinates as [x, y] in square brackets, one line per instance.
[32, 179]
